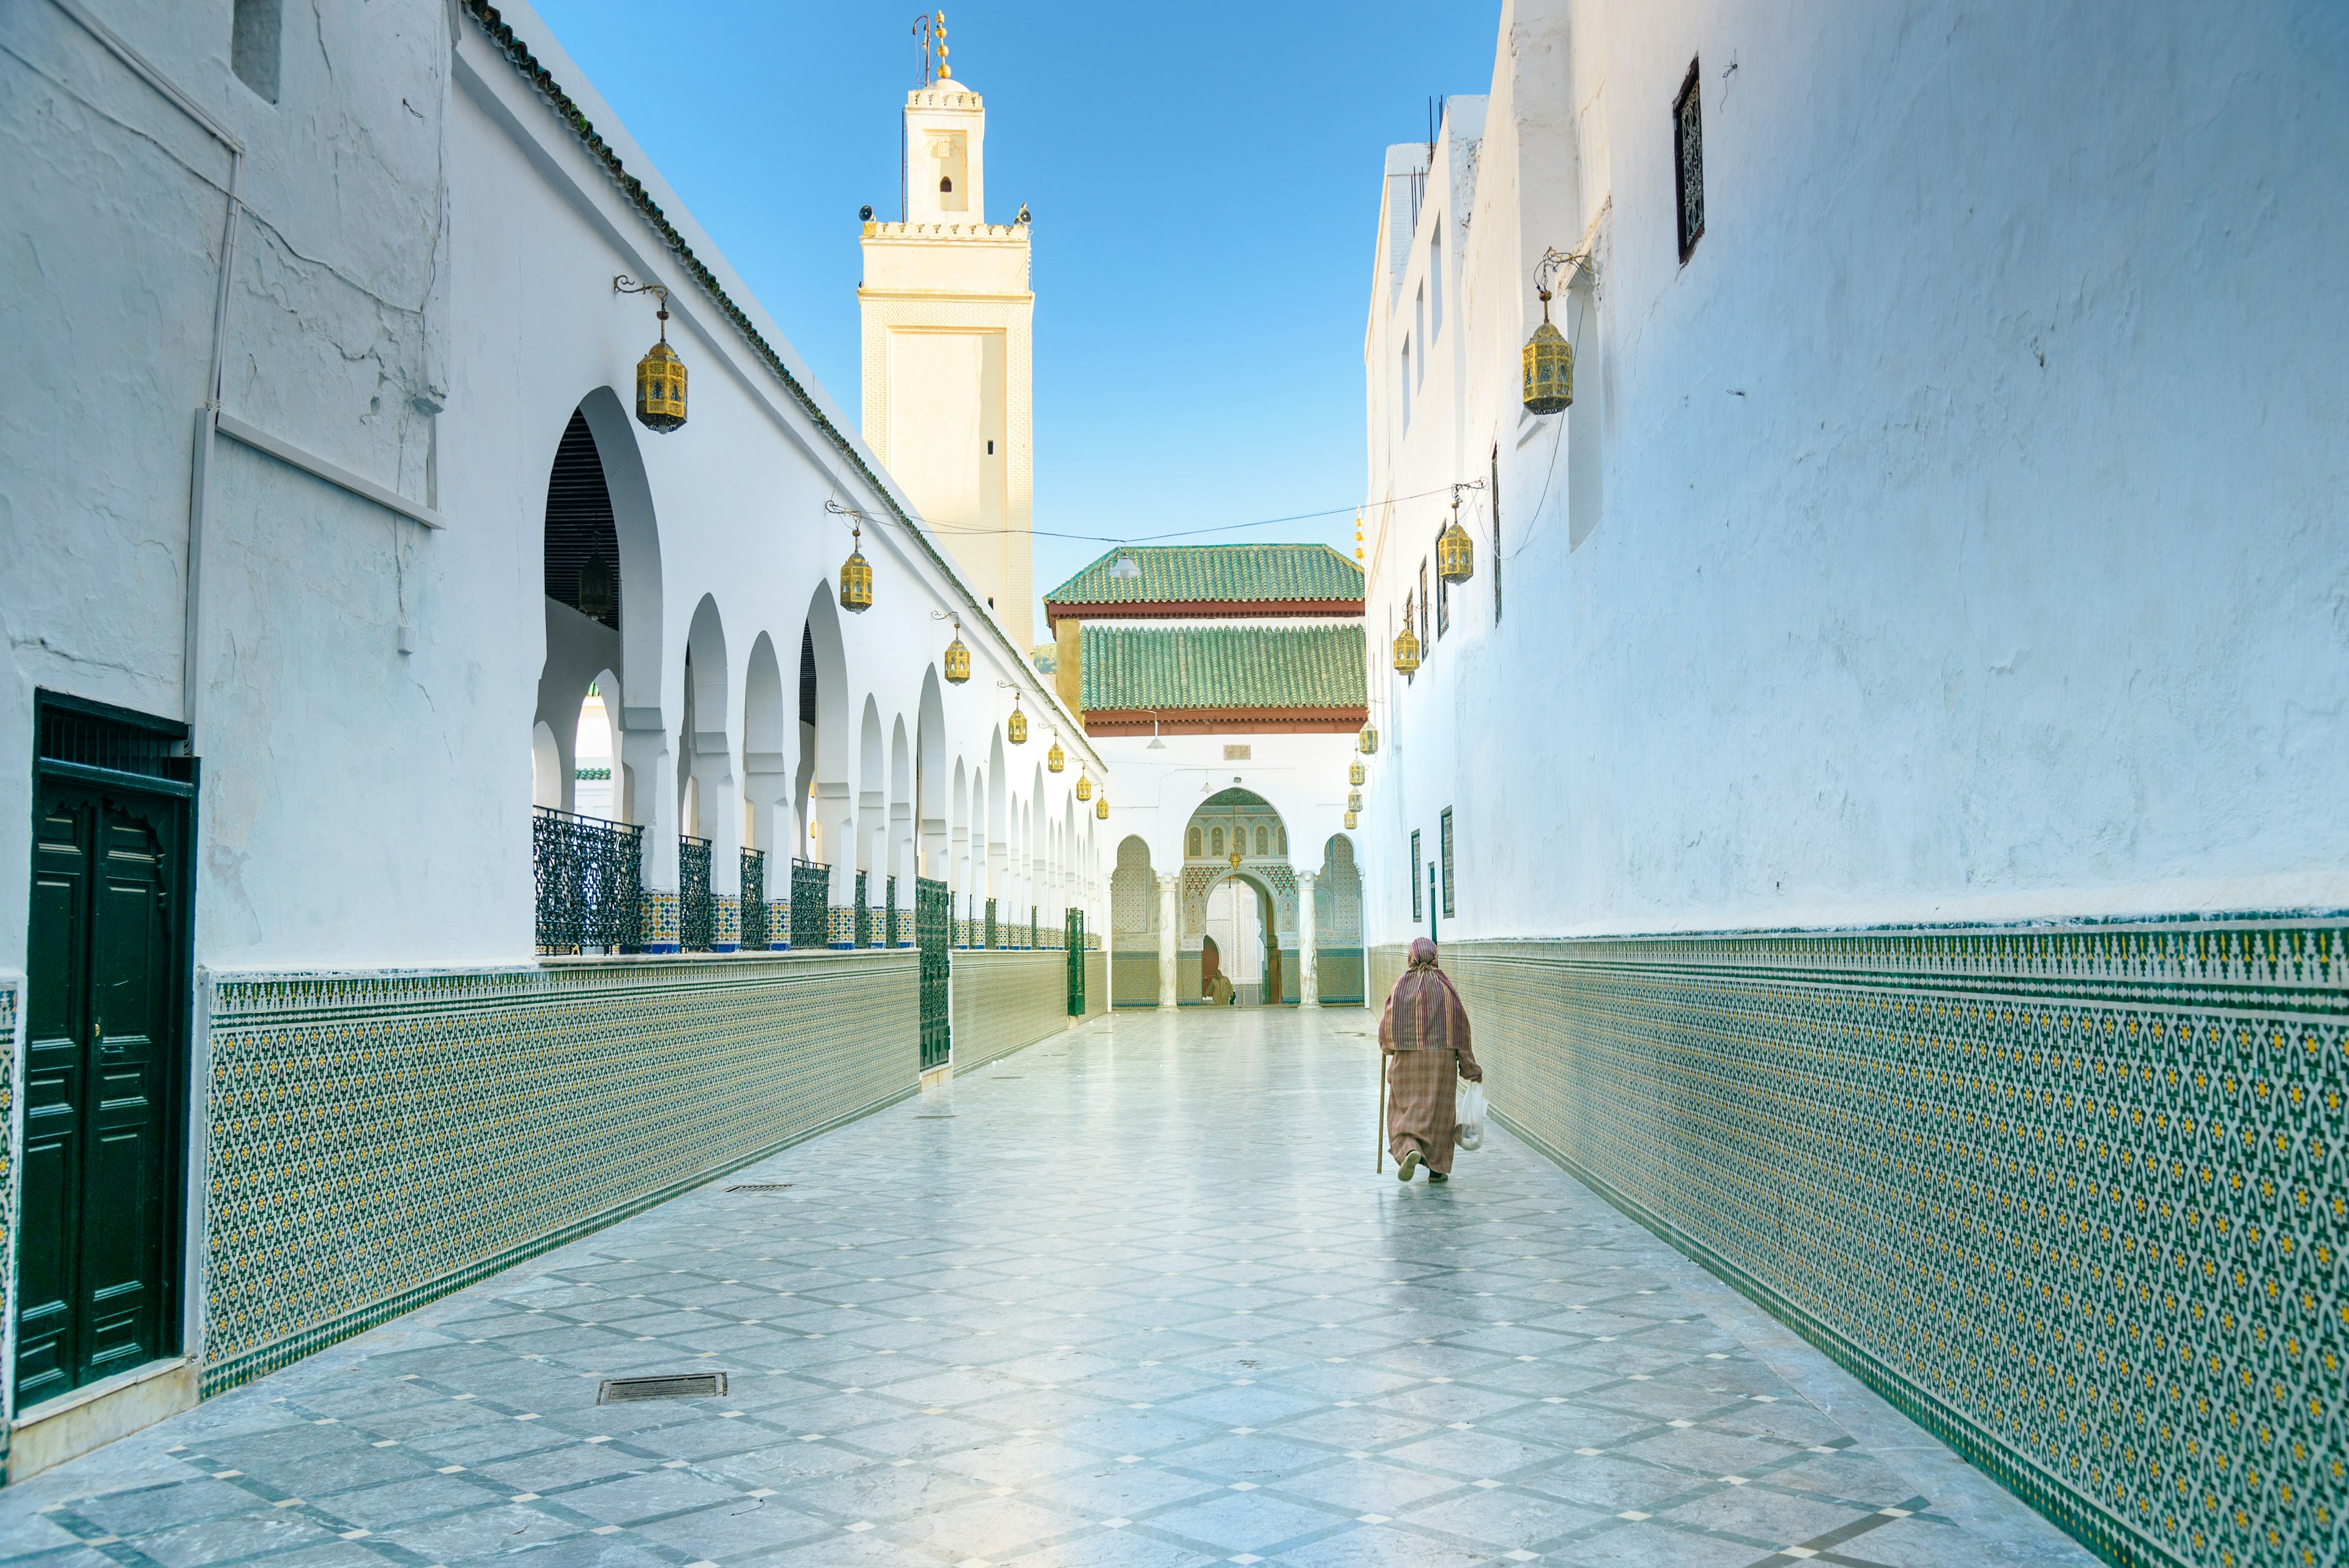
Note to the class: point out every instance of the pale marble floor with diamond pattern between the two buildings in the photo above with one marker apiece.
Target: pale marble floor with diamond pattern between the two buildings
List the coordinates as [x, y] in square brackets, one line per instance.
[1131, 1299]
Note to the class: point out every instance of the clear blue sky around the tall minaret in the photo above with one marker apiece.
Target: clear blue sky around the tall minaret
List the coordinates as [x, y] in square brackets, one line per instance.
[1206, 192]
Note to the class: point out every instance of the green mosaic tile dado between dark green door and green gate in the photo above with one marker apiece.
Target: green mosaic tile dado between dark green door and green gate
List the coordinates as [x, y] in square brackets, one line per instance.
[377, 1141]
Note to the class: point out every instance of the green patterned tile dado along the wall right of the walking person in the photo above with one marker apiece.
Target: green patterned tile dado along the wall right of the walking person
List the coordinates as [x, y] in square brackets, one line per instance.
[2073, 1198]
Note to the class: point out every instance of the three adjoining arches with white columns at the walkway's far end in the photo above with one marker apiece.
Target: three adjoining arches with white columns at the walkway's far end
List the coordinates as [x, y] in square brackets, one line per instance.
[1239, 925]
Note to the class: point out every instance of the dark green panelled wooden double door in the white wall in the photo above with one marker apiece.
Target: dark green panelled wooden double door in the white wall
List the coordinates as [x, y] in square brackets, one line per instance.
[102, 1068]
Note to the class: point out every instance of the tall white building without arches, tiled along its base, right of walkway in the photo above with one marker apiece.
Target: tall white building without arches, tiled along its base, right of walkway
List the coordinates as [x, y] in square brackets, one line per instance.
[1878, 782]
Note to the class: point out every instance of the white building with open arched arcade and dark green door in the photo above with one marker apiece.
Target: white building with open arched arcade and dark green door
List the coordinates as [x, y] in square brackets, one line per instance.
[339, 488]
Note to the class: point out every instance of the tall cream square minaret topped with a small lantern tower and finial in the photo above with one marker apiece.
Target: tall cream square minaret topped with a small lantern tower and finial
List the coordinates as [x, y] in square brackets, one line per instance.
[948, 351]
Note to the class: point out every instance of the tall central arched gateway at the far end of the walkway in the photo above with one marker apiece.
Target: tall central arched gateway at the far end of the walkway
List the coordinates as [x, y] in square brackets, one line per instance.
[1241, 892]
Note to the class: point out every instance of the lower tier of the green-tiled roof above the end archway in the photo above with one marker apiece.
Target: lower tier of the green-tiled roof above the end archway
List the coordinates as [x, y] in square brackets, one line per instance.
[1223, 666]
